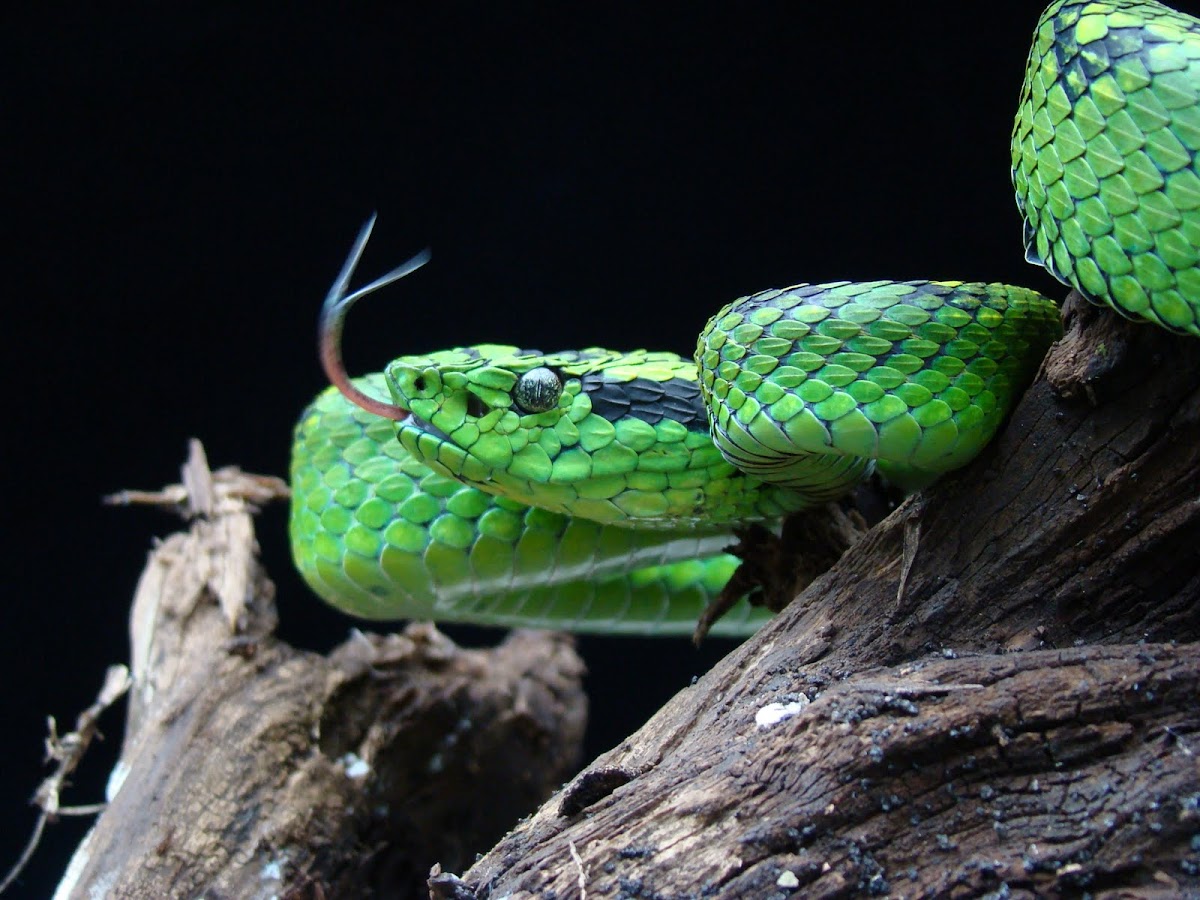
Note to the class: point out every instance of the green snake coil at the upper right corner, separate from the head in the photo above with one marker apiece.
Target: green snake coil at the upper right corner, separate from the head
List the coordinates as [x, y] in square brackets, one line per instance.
[1105, 157]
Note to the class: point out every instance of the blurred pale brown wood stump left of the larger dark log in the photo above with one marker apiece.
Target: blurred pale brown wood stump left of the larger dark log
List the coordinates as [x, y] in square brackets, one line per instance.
[251, 769]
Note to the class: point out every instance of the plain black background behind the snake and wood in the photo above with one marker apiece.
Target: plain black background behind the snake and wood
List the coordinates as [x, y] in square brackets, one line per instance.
[185, 187]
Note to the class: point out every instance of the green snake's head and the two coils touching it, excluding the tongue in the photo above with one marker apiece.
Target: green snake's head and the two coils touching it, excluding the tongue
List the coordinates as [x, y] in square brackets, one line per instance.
[536, 489]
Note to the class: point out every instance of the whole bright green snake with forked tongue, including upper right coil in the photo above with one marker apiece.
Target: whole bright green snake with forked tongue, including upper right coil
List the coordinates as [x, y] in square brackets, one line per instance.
[597, 491]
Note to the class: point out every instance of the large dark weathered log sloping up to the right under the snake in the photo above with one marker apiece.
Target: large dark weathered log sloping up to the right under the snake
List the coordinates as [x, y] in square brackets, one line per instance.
[995, 693]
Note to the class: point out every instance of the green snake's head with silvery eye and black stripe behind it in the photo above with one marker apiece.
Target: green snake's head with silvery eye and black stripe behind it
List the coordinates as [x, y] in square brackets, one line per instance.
[615, 437]
